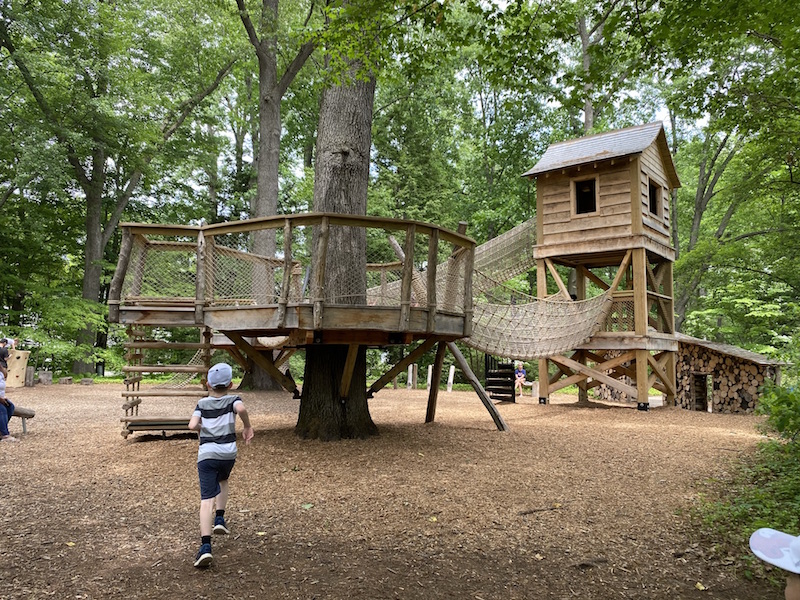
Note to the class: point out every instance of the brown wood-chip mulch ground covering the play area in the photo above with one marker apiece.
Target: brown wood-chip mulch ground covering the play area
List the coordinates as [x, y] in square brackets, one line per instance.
[573, 502]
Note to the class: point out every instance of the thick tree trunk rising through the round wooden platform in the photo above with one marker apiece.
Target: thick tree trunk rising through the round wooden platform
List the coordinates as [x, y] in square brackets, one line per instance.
[340, 185]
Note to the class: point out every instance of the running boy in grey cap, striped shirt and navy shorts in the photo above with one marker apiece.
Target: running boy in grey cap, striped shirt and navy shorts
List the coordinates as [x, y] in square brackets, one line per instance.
[215, 419]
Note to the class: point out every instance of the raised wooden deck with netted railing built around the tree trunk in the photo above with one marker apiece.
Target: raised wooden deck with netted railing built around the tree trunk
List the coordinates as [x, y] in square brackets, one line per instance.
[406, 297]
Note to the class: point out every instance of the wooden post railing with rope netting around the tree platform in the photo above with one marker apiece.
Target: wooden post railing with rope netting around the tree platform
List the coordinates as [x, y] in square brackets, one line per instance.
[296, 274]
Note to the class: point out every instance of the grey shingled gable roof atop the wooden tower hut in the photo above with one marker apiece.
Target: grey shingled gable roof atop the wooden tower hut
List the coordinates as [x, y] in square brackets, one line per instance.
[605, 146]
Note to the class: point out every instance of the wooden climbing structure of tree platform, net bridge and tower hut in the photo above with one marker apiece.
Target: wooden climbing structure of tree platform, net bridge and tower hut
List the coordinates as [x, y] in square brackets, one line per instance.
[602, 223]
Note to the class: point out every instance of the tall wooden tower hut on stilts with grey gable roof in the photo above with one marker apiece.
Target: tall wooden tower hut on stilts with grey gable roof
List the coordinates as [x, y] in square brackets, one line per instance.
[603, 221]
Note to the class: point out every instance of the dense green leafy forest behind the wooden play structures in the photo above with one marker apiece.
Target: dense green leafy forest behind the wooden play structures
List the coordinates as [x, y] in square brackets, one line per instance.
[178, 111]
